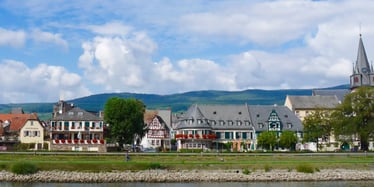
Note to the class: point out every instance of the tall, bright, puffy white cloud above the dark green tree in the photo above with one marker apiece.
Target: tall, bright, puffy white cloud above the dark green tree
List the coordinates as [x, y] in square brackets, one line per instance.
[118, 63]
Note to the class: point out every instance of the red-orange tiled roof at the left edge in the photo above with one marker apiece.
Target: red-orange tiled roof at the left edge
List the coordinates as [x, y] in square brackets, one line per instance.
[17, 121]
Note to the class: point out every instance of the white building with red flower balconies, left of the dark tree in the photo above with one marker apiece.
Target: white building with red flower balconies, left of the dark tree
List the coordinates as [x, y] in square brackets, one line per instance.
[74, 129]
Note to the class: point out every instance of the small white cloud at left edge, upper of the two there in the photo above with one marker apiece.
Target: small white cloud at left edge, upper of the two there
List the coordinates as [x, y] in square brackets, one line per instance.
[12, 38]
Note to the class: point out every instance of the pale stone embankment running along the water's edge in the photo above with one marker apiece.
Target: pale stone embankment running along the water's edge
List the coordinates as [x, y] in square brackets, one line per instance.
[188, 176]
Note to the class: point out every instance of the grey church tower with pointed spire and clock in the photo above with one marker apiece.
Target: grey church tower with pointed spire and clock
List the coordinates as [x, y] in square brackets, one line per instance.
[363, 74]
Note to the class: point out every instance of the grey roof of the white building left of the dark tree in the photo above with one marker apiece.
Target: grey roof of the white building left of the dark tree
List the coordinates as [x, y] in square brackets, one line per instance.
[77, 114]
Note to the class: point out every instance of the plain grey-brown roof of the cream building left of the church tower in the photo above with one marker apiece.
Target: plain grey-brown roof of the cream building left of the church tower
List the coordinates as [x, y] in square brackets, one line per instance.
[313, 102]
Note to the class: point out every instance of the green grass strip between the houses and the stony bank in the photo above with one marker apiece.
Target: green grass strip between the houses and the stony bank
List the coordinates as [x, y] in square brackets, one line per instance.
[100, 163]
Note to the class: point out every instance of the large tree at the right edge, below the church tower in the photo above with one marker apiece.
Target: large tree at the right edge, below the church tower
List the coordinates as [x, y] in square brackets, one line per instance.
[355, 116]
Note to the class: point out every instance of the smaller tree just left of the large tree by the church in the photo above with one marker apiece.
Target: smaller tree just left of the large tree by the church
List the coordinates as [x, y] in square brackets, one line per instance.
[316, 125]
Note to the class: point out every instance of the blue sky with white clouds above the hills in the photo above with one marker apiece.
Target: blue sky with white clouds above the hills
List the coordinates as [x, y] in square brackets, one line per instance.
[52, 50]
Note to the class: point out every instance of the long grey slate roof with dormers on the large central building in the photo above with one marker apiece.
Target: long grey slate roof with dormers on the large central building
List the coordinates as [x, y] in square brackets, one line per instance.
[234, 117]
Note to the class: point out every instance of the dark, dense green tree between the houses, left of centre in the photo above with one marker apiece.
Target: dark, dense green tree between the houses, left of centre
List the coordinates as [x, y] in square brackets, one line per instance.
[125, 118]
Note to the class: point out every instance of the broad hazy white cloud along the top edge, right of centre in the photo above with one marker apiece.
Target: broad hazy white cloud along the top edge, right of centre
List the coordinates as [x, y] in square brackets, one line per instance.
[266, 23]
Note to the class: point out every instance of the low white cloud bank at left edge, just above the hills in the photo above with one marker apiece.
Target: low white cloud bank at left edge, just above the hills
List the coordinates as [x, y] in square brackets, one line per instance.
[44, 83]
